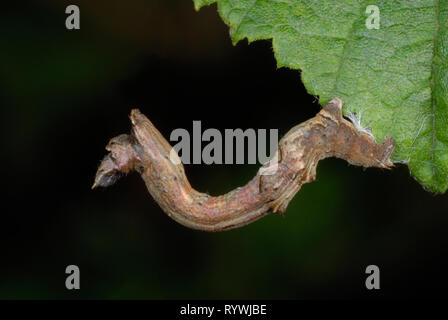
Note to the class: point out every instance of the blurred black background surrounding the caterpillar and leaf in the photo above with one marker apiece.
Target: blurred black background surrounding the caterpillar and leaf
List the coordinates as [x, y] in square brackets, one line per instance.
[63, 94]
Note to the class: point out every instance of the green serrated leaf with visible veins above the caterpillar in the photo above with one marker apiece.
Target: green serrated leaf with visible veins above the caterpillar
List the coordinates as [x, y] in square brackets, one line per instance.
[394, 77]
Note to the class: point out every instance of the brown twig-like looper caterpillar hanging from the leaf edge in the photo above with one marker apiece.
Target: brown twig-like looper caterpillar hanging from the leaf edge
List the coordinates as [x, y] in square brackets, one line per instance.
[328, 134]
